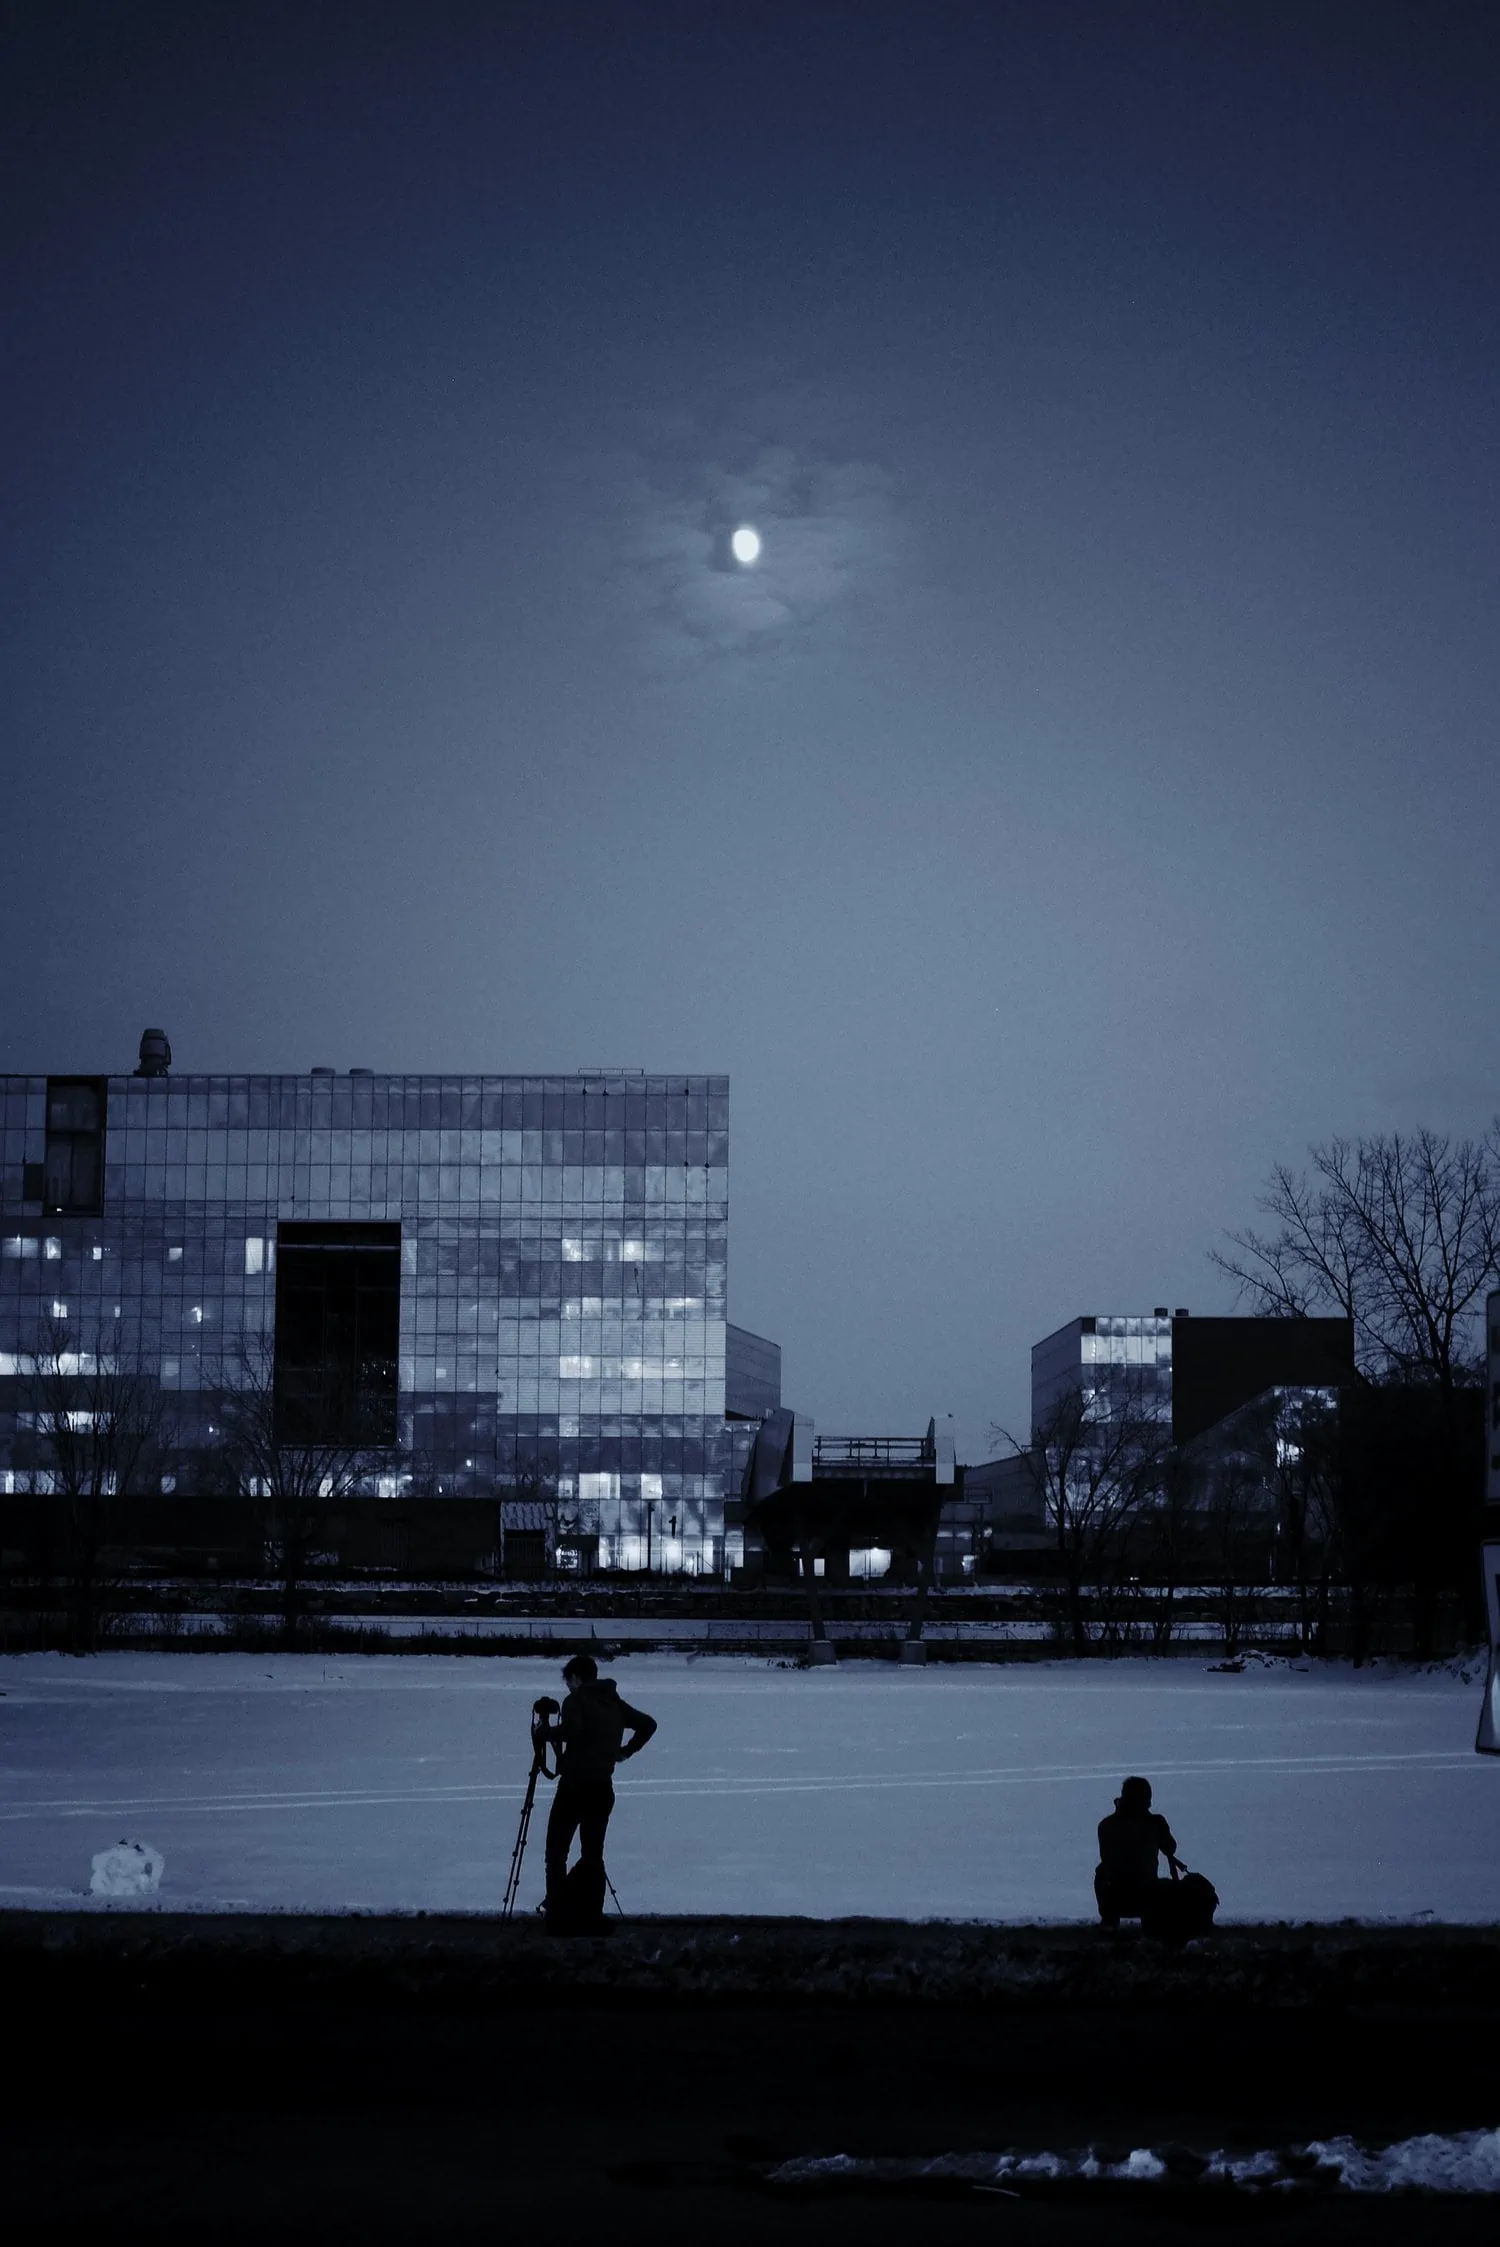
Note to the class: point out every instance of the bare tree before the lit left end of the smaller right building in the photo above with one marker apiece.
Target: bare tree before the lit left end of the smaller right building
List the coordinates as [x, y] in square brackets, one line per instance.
[1095, 1462]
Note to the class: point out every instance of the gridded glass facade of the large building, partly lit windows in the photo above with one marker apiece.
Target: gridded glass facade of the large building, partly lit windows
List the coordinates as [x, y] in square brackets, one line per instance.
[565, 1257]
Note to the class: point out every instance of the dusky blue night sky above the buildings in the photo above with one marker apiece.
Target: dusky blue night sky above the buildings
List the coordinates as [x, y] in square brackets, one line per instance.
[1088, 799]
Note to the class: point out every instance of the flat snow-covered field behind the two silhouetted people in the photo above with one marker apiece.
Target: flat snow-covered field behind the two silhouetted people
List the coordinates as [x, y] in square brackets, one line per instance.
[394, 1783]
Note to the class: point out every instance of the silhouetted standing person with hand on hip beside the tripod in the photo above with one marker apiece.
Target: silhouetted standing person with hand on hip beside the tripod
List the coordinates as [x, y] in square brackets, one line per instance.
[589, 1736]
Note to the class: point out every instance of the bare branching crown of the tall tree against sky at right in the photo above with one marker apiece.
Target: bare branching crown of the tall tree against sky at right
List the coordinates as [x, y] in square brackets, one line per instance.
[1400, 1235]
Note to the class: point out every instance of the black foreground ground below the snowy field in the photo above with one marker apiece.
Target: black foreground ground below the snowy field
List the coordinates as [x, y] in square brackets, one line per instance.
[452, 2080]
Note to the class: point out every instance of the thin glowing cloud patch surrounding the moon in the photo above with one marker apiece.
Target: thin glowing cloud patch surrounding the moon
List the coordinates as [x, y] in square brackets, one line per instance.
[825, 527]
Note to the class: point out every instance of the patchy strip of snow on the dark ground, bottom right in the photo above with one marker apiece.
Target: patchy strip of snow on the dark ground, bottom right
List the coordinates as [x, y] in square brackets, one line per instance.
[1467, 2163]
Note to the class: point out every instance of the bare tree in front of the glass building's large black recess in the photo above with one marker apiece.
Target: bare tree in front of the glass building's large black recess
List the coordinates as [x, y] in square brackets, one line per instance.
[298, 1480]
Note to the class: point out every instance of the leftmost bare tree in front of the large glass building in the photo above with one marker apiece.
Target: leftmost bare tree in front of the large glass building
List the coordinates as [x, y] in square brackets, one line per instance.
[102, 1435]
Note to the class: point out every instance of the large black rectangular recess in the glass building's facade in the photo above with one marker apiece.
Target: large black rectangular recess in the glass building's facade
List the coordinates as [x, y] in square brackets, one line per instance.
[338, 1334]
